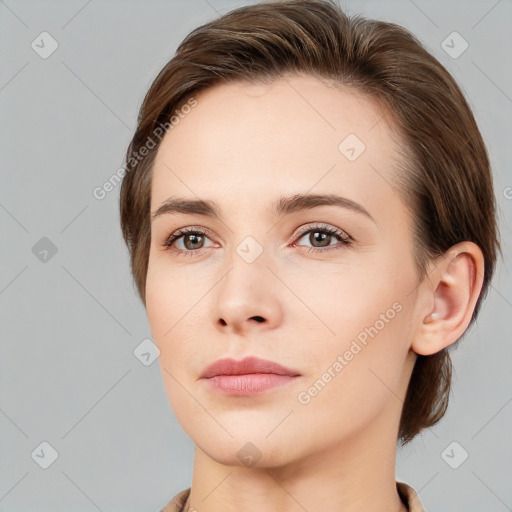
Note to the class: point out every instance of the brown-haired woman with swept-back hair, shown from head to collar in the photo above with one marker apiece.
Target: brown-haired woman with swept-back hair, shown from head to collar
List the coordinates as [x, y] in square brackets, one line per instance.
[310, 215]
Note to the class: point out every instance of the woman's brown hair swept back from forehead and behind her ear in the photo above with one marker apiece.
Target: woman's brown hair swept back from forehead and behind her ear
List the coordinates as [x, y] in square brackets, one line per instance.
[443, 176]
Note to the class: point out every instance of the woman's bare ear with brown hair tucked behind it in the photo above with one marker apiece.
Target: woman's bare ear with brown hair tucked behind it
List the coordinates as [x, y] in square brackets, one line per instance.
[448, 296]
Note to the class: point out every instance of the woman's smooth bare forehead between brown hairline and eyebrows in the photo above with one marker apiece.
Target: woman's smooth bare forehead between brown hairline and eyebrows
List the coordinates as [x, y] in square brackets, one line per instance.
[244, 141]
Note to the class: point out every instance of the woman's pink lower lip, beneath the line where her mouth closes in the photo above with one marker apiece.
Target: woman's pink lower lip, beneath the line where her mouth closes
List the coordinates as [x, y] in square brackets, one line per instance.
[248, 384]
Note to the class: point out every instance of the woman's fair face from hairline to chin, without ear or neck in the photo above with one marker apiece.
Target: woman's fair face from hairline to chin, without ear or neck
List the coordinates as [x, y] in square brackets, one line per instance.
[264, 278]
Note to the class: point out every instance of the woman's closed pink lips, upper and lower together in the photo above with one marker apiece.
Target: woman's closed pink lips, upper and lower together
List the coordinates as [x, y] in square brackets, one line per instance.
[246, 377]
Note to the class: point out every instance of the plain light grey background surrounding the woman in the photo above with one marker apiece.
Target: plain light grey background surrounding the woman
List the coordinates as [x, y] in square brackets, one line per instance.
[69, 325]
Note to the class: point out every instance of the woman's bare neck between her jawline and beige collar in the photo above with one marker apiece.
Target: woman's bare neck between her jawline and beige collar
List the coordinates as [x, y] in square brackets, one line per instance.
[357, 474]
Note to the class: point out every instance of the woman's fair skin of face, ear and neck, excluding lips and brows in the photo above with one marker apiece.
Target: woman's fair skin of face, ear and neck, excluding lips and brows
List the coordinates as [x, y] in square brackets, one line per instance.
[244, 146]
